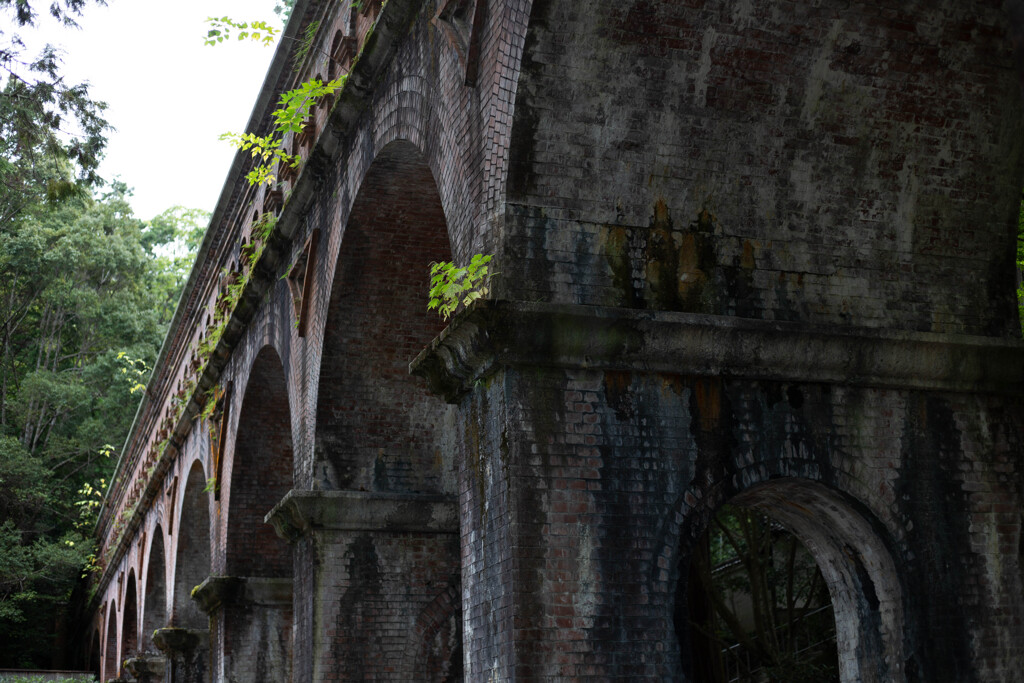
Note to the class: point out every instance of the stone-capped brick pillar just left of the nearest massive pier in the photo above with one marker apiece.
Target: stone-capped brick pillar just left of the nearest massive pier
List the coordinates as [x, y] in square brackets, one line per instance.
[377, 579]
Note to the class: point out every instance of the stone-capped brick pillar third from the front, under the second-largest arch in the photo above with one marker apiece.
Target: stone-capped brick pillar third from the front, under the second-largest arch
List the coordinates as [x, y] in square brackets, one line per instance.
[251, 621]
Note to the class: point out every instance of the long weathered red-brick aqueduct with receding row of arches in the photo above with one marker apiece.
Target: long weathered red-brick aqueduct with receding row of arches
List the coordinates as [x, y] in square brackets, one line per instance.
[748, 252]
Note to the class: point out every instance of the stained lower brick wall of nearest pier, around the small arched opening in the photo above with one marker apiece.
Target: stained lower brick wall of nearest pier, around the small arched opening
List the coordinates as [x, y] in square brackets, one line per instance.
[584, 492]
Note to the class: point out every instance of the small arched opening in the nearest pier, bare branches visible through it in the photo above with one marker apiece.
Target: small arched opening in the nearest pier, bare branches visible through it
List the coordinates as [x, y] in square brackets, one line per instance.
[759, 606]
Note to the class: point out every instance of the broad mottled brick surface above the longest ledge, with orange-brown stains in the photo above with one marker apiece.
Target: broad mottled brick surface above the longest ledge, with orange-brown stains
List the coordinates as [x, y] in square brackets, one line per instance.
[827, 163]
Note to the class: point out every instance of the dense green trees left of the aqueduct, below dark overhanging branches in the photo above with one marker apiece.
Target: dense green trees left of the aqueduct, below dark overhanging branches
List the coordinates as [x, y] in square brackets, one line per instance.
[87, 294]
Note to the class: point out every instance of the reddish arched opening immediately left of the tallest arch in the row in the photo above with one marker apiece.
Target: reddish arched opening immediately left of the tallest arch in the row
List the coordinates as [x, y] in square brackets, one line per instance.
[262, 474]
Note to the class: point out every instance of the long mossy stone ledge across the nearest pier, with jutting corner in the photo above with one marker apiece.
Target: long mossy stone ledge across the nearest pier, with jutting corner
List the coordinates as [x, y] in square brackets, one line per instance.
[492, 334]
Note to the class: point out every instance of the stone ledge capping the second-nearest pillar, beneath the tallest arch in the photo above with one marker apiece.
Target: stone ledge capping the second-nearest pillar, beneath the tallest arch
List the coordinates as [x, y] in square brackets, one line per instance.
[304, 511]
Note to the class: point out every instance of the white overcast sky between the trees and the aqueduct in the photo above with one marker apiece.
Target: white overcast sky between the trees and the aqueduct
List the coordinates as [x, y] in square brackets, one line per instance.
[168, 96]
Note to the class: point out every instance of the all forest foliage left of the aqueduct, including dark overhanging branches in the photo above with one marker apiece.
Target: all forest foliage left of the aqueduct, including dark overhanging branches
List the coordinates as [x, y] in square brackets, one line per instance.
[87, 294]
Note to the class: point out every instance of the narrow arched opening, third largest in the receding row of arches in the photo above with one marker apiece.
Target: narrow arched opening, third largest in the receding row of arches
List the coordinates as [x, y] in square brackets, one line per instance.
[192, 562]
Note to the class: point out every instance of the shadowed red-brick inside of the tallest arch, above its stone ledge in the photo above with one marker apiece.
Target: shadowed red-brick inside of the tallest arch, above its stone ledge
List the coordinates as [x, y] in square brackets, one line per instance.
[376, 425]
